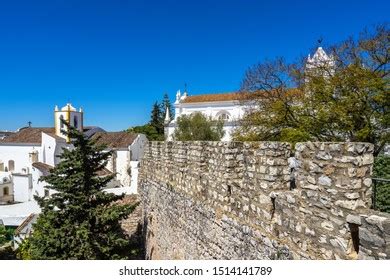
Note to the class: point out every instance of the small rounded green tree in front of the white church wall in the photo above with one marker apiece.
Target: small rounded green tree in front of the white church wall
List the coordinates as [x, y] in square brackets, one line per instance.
[197, 127]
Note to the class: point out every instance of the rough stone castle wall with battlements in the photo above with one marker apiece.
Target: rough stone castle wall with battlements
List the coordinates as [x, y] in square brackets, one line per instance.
[235, 200]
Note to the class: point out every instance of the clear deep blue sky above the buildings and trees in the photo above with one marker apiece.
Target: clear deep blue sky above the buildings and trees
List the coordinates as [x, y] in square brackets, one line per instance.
[116, 57]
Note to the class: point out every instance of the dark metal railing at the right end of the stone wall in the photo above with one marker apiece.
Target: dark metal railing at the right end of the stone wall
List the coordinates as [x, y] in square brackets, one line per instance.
[381, 186]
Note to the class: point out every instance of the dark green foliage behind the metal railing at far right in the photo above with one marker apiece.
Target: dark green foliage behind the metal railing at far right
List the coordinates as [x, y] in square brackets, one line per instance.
[382, 170]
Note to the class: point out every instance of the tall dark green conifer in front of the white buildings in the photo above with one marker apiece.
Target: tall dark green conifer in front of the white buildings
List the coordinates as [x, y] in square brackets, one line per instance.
[80, 220]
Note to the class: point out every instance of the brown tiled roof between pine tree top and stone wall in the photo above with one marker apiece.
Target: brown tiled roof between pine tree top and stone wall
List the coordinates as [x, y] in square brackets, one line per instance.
[115, 139]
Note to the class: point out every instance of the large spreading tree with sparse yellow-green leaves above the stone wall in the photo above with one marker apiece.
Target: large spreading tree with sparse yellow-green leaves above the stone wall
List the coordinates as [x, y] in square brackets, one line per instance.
[347, 100]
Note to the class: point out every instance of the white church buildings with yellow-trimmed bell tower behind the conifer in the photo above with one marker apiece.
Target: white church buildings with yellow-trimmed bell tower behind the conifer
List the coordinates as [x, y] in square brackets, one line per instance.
[31, 152]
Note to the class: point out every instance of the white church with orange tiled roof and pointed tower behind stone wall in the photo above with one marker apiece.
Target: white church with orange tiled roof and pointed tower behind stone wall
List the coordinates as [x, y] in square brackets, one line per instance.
[227, 106]
